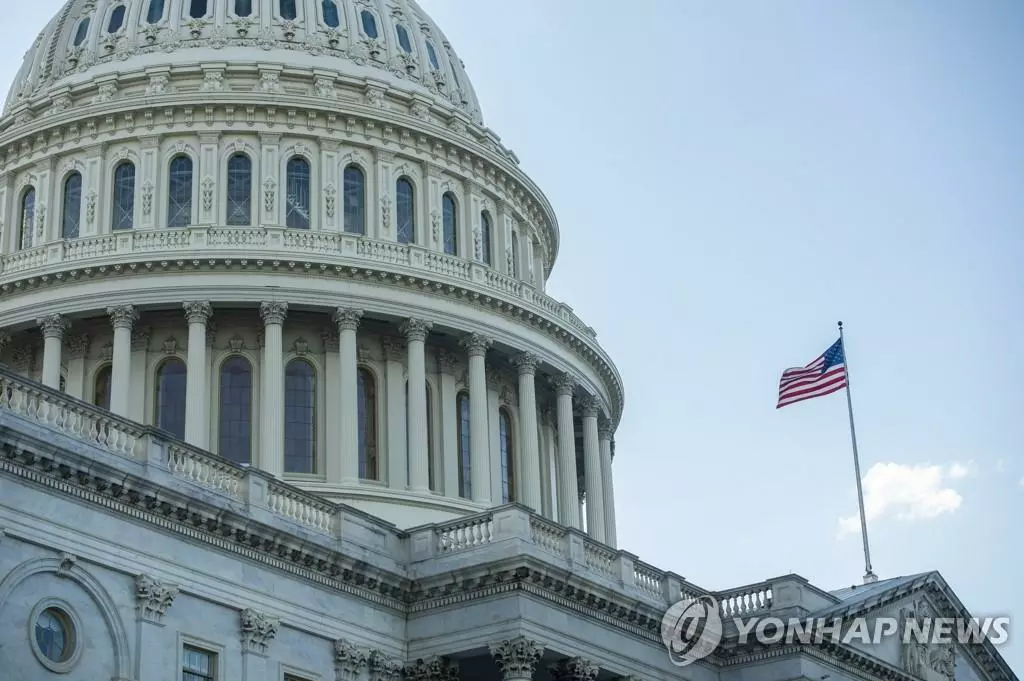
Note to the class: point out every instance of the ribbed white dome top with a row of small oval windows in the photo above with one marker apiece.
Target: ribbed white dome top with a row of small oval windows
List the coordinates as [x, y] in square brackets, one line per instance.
[393, 41]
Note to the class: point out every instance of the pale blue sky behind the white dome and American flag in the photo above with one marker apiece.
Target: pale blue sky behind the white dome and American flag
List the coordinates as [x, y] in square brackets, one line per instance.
[731, 180]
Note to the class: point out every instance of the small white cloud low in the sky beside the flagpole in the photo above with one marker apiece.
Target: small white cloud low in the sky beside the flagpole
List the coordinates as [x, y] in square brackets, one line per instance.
[909, 493]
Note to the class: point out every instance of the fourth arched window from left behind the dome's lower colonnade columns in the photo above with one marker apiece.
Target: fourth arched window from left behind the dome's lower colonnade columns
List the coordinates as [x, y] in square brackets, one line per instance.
[301, 417]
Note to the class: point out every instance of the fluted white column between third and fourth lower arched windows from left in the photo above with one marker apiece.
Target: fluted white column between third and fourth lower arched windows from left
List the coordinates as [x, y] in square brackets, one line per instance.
[272, 443]
